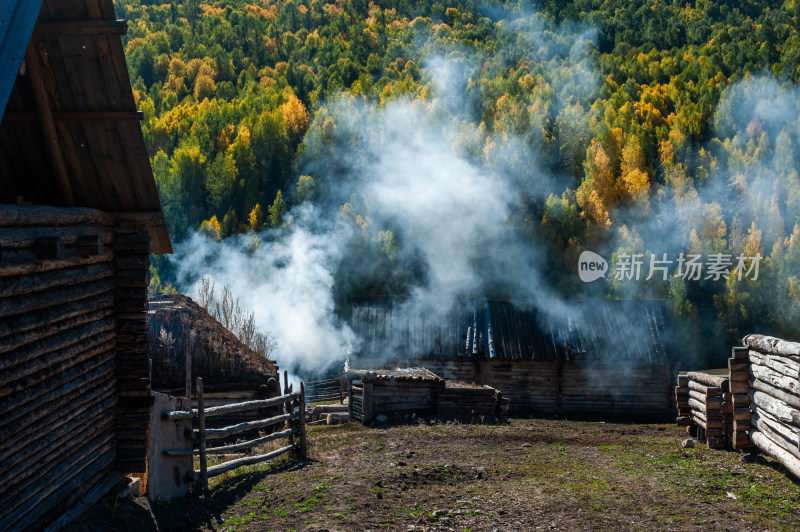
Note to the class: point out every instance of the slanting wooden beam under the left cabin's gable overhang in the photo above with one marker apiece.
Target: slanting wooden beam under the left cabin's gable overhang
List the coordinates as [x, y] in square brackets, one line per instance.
[45, 114]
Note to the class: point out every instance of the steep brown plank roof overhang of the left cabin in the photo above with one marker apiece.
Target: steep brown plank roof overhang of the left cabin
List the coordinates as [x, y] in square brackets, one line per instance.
[70, 134]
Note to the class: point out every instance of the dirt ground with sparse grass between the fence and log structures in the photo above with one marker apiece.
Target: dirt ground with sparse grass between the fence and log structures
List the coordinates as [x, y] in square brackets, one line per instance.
[527, 474]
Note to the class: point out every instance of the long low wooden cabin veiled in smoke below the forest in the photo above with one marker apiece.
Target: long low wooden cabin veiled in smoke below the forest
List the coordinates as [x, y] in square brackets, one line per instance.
[604, 357]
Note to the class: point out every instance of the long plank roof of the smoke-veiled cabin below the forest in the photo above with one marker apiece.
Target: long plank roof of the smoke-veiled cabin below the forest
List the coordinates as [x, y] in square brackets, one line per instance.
[586, 330]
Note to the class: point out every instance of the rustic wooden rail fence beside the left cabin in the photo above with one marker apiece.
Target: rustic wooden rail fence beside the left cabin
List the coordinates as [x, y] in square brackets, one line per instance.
[292, 421]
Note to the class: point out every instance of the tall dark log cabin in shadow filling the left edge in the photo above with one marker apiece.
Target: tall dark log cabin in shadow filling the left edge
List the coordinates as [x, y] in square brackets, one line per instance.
[79, 217]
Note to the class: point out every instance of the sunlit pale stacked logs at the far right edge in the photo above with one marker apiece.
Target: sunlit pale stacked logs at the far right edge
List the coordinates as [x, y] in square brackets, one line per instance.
[774, 368]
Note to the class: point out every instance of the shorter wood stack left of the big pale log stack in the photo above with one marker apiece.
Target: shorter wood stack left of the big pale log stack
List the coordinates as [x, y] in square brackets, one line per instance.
[704, 407]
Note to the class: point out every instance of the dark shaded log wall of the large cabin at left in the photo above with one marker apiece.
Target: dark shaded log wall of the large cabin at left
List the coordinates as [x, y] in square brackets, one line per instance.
[74, 379]
